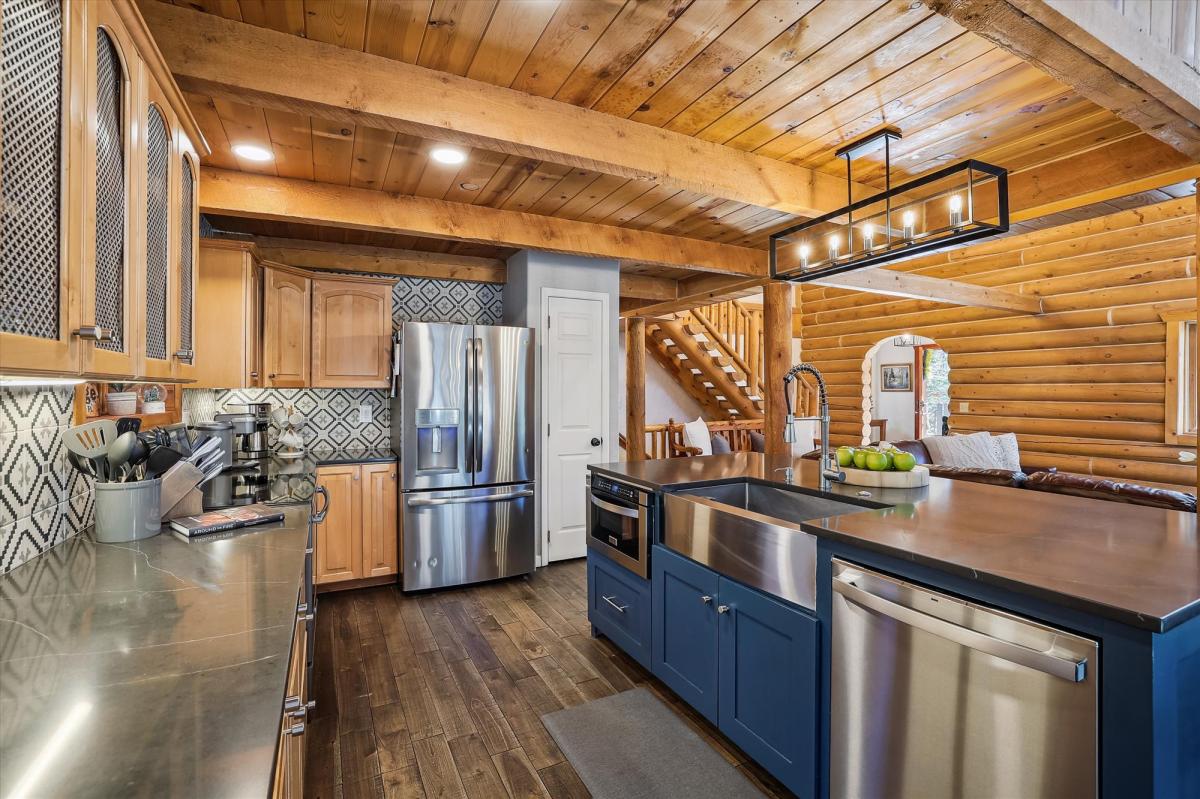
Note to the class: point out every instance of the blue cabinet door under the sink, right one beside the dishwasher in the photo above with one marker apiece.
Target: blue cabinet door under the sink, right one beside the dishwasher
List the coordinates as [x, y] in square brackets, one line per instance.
[769, 684]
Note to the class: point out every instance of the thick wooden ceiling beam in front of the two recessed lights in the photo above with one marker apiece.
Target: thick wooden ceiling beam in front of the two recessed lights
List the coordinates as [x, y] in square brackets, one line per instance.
[223, 58]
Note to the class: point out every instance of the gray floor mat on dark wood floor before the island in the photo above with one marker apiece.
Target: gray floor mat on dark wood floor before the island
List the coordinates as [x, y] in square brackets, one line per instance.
[633, 747]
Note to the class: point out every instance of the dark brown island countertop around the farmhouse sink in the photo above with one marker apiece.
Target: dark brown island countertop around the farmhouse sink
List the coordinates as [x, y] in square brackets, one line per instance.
[1137, 566]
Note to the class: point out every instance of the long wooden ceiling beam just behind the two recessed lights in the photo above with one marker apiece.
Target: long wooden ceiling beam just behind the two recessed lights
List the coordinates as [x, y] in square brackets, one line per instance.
[236, 194]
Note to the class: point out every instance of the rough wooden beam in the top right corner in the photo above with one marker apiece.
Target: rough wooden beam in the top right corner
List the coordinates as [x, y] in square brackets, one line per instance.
[1096, 51]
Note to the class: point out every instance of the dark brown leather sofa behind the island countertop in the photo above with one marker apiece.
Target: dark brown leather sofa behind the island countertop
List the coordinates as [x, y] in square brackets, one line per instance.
[1059, 483]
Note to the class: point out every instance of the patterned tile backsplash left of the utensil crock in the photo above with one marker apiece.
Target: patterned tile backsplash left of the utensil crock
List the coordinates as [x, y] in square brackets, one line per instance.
[43, 500]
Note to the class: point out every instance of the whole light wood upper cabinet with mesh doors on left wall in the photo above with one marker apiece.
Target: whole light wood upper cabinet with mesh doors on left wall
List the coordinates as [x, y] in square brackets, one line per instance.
[89, 73]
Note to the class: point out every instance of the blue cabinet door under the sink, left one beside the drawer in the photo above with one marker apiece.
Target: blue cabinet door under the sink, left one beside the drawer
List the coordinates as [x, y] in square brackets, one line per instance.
[685, 632]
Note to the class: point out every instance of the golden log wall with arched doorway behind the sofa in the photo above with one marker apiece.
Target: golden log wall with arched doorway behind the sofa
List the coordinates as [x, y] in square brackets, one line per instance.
[1082, 385]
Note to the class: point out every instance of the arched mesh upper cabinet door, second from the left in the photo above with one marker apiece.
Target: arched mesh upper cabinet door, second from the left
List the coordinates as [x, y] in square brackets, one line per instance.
[109, 333]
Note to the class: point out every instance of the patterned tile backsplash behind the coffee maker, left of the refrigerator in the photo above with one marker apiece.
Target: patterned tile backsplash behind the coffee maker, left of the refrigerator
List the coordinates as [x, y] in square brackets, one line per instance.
[332, 416]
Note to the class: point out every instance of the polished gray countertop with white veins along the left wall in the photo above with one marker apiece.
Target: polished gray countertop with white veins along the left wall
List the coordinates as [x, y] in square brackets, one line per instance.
[152, 669]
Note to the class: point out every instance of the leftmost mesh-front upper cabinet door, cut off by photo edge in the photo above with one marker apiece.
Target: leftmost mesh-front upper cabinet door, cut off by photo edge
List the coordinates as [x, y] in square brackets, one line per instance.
[38, 139]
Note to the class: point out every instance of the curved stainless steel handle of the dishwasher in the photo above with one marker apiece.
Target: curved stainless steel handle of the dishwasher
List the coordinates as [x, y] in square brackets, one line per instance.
[1071, 670]
